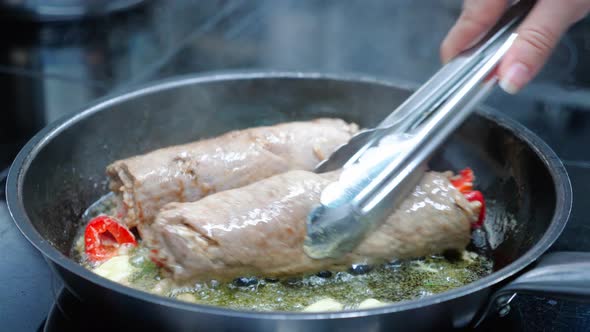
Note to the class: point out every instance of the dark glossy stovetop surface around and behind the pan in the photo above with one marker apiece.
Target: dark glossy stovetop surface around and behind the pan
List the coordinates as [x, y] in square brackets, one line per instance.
[48, 70]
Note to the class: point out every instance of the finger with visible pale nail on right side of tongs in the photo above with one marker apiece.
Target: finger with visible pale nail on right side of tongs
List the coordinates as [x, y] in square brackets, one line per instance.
[537, 37]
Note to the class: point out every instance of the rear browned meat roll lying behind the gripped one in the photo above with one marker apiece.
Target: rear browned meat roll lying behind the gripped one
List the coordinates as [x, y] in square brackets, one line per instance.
[186, 173]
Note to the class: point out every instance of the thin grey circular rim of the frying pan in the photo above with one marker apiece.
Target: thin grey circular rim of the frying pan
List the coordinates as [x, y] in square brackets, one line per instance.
[27, 154]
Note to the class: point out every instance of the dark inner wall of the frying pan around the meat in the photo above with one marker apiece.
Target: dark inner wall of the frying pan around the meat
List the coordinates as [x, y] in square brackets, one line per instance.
[66, 172]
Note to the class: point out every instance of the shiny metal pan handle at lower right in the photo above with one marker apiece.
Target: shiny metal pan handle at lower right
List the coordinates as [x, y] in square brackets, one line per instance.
[561, 274]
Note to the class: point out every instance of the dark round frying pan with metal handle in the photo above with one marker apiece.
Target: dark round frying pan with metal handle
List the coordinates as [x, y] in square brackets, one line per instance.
[60, 172]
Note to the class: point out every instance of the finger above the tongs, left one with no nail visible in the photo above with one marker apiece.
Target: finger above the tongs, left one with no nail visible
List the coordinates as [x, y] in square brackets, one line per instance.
[477, 18]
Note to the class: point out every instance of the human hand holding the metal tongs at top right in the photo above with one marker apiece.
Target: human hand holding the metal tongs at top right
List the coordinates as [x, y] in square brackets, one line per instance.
[538, 35]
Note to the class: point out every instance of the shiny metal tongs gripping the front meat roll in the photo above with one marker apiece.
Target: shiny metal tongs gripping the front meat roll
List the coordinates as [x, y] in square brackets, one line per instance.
[380, 166]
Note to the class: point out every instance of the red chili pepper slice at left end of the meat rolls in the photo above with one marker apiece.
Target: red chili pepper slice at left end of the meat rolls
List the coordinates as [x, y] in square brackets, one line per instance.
[103, 237]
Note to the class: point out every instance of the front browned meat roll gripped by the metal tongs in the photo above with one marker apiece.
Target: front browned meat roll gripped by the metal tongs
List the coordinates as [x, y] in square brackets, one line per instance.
[259, 229]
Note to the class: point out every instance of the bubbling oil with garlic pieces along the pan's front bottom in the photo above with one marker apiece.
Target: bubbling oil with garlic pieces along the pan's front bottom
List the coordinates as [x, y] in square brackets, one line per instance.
[360, 287]
